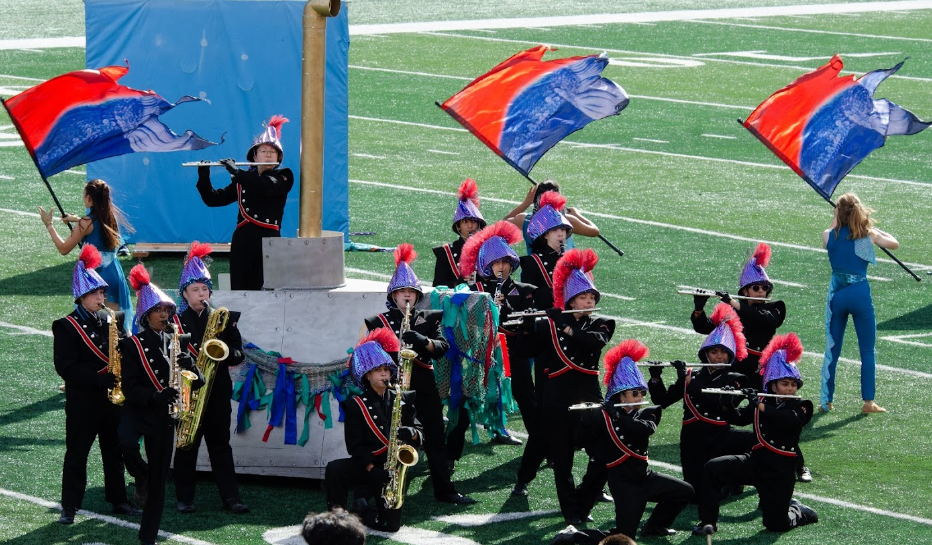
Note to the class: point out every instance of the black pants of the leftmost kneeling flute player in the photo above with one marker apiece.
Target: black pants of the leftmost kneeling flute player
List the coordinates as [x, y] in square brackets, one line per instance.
[631, 496]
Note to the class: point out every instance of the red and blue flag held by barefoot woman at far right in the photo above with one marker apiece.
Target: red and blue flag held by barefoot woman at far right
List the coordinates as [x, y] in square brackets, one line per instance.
[823, 125]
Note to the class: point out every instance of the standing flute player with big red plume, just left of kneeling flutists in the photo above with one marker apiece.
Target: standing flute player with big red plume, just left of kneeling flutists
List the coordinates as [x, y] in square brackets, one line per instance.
[567, 348]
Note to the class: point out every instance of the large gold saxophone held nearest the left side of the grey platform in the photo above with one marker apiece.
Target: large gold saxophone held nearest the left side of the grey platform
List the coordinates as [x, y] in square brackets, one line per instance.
[213, 350]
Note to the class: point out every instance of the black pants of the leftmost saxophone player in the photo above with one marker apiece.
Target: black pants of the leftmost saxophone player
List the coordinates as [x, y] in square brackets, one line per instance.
[89, 415]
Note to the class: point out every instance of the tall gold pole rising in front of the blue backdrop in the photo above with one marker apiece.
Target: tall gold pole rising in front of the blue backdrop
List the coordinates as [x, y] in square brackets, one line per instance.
[312, 114]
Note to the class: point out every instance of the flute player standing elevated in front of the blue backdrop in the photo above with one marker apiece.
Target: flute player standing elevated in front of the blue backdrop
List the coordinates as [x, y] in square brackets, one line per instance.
[260, 194]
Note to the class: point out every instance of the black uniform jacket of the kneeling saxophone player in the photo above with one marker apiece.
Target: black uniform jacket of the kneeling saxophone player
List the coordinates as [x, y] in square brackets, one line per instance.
[366, 423]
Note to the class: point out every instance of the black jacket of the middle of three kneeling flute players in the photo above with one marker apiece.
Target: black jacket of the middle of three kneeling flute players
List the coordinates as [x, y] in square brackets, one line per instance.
[699, 409]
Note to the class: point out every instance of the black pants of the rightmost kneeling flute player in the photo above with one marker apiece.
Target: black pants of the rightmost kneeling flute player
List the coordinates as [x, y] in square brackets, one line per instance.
[774, 483]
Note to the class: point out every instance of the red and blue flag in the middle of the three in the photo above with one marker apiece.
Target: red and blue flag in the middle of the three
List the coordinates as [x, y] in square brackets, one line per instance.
[524, 106]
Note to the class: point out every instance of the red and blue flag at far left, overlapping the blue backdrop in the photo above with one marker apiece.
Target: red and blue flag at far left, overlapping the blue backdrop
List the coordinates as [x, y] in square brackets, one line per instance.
[86, 115]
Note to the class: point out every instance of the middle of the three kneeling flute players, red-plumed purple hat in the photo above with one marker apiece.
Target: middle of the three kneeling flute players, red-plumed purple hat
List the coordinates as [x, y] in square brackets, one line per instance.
[706, 431]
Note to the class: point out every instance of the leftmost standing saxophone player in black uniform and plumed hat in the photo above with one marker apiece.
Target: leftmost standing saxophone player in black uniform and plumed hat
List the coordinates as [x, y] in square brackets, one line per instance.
[81, 355]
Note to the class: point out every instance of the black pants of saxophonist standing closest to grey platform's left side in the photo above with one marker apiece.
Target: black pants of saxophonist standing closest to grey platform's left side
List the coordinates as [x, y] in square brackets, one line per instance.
[215, 431]
